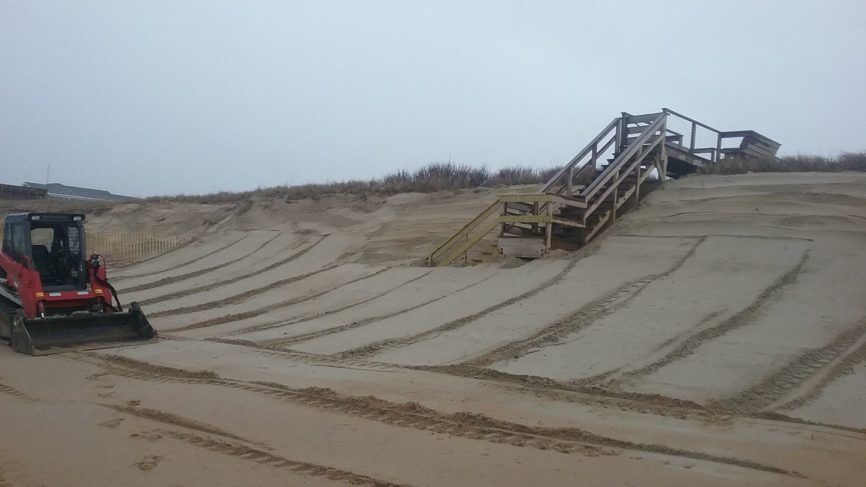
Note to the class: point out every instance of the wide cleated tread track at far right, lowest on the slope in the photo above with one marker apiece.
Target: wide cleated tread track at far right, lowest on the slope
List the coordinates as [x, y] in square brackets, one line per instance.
[793, 375]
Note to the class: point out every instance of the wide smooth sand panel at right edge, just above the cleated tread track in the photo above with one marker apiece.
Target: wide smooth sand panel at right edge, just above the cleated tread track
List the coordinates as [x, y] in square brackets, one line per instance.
[803, 311]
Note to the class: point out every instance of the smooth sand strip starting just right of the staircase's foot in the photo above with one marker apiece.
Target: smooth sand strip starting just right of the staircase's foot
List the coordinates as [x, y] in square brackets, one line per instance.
[512, 330]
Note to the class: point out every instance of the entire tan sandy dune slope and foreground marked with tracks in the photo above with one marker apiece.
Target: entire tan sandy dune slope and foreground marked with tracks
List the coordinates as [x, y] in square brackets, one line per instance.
[715, 336]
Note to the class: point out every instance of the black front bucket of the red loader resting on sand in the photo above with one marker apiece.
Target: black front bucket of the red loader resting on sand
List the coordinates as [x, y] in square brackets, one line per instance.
[84, 331]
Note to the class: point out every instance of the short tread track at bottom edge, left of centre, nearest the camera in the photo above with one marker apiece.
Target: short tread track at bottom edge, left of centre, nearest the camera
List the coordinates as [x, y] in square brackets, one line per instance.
[262, 457]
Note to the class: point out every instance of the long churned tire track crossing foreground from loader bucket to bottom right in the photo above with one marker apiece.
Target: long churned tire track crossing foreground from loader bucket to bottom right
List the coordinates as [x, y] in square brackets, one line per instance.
[413, 415]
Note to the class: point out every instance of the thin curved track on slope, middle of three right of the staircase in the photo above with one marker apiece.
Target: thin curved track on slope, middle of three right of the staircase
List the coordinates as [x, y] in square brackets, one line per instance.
[743, 318]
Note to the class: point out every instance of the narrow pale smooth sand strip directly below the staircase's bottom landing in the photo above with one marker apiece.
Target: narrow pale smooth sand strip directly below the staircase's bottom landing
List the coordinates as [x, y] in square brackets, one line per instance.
[505, 285]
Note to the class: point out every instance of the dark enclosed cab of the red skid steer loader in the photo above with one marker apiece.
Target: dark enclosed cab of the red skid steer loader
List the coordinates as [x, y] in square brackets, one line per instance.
[51, 244]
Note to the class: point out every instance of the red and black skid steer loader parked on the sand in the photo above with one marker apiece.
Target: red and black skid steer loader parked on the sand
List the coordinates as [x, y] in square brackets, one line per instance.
[53, 298]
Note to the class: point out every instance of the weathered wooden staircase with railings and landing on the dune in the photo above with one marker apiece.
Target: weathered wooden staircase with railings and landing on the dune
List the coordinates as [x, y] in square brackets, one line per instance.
[601, 182]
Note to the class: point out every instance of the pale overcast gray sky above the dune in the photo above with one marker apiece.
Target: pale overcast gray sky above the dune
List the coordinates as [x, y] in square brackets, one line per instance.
[163, 97]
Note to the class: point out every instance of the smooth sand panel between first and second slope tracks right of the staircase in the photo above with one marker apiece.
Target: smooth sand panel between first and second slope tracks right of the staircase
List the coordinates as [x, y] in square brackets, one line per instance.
[666, 309]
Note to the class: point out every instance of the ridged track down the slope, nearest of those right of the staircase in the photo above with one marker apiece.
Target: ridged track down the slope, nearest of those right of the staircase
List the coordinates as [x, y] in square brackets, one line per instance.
[580, 319]
